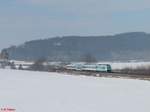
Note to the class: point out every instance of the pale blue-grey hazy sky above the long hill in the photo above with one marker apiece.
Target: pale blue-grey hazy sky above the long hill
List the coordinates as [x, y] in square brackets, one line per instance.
[23, 20]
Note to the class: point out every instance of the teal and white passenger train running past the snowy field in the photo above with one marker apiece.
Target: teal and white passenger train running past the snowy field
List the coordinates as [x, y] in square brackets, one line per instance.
[90, 67]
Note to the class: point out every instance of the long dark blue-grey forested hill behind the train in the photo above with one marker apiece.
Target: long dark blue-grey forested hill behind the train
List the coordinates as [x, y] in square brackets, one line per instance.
[125, 46]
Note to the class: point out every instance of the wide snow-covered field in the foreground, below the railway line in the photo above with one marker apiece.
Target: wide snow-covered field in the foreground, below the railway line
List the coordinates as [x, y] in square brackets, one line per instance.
[28, 91]
